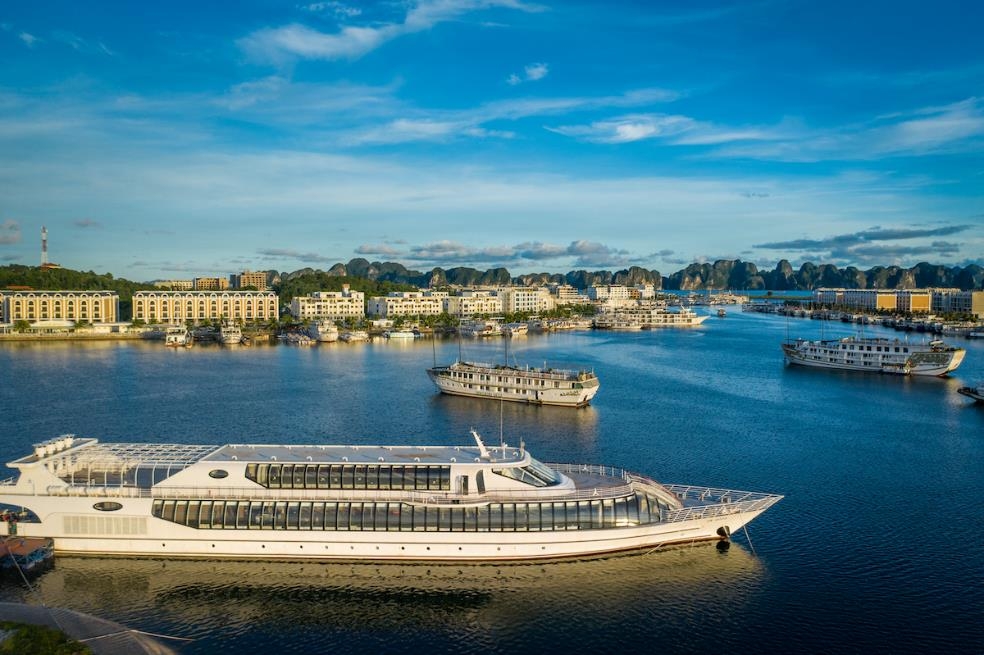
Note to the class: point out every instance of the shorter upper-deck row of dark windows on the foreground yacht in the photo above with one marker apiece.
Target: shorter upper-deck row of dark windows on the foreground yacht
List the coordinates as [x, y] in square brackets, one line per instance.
[350, 476]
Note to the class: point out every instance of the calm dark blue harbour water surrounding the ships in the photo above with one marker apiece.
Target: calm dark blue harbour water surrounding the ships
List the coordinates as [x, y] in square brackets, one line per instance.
[877, 545]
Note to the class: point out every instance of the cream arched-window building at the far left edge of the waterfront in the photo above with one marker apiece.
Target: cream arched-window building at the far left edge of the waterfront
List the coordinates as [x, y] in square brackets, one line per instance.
[60, 306]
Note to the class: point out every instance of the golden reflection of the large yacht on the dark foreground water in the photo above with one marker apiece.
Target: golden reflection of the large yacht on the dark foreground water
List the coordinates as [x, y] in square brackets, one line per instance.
[220, 602]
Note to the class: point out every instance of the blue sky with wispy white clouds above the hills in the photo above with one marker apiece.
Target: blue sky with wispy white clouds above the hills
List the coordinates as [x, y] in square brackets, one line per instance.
[172, 140]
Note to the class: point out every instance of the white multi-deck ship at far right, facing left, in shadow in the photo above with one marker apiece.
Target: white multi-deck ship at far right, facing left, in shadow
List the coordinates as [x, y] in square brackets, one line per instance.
[877, 354]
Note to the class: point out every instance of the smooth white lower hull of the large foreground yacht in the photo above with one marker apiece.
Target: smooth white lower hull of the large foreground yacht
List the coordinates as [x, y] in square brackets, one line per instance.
[115, 536]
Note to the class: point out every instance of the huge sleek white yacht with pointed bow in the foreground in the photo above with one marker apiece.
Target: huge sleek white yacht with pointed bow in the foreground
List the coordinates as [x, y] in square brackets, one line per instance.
[350, 502]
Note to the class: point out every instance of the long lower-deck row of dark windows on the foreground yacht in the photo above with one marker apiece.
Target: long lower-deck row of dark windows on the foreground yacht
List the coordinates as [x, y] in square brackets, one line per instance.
[637, 509]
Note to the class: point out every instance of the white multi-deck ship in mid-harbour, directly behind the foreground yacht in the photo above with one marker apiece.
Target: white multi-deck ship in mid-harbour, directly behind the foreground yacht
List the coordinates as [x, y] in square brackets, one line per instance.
[537, 386]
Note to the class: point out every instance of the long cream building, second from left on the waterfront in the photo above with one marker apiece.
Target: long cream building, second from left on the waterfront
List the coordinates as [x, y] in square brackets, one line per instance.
[163, 307]
